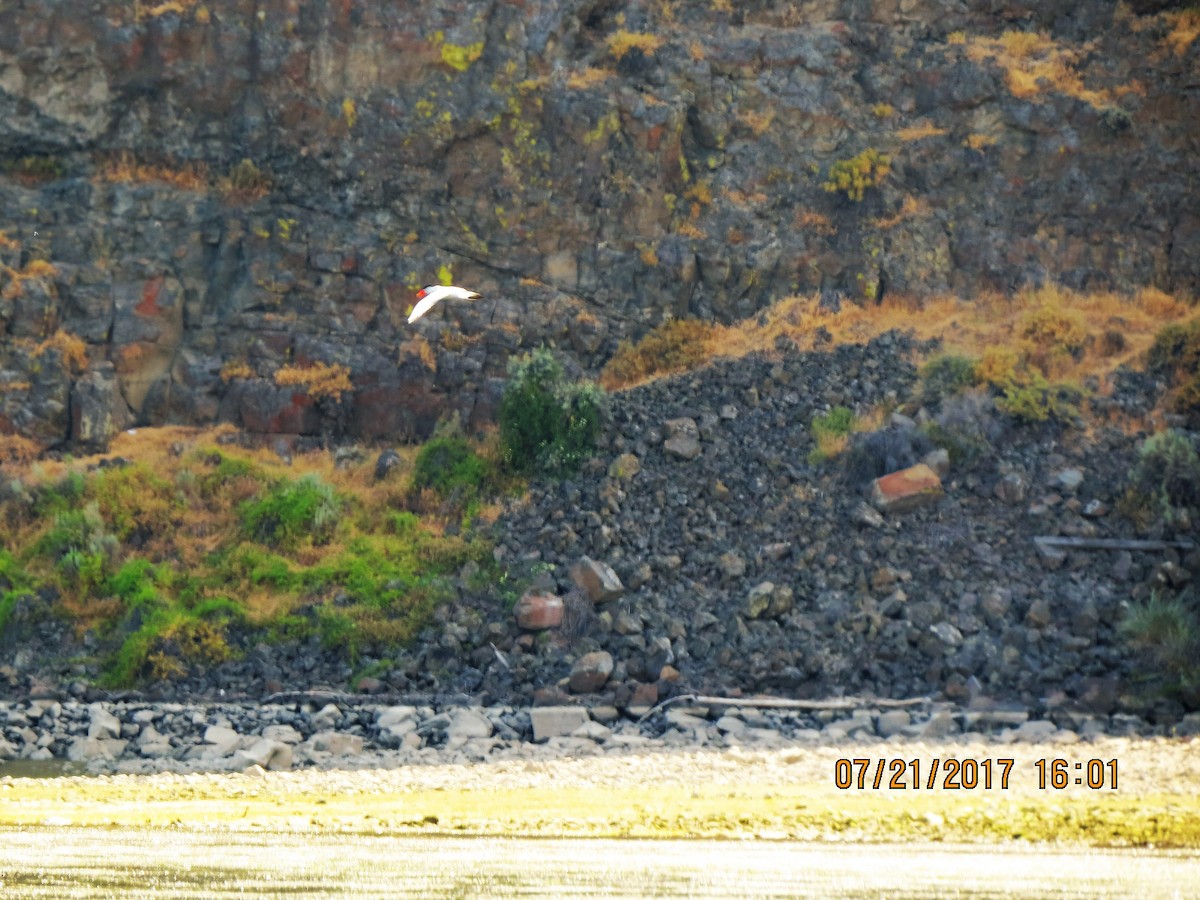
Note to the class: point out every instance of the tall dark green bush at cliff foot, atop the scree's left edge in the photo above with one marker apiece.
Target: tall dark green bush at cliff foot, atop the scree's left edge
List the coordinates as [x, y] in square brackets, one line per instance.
[548, 424]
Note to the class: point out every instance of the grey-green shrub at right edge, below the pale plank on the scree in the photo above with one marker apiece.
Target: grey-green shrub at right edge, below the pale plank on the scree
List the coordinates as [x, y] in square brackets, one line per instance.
[1167, 633]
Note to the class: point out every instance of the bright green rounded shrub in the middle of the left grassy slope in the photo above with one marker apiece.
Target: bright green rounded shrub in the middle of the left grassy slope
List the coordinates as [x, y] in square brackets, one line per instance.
[292, 512]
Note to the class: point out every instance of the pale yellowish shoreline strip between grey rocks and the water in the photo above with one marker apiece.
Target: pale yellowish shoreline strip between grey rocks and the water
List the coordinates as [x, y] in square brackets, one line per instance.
[779, 794]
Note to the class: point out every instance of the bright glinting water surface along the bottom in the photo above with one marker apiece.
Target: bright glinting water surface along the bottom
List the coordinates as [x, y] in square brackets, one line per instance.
[74, 863]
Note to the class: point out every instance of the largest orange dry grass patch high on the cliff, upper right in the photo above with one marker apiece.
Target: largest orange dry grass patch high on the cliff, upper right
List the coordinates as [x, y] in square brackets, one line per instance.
[1034, 64]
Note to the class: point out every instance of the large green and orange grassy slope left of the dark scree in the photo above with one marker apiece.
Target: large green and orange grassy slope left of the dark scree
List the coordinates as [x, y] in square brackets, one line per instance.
[176, 563]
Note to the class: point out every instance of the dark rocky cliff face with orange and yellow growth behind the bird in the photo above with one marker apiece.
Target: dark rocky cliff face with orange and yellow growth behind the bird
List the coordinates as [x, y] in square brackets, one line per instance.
[209, 194]
